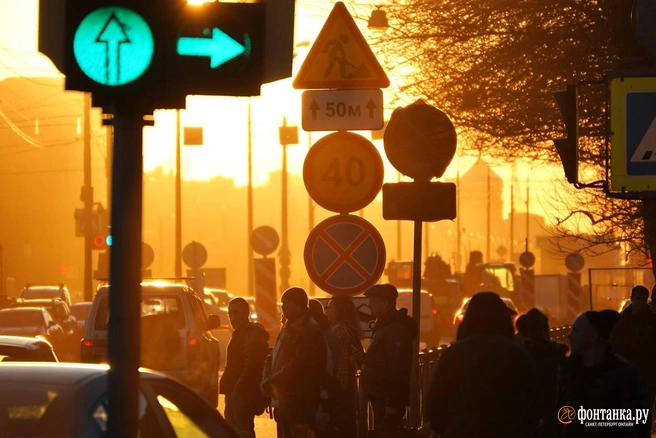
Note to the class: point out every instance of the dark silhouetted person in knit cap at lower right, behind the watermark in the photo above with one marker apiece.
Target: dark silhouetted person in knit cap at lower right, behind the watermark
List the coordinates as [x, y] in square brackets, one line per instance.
[595, 377]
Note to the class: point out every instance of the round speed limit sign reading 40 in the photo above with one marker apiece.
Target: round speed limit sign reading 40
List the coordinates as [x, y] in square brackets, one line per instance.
[343, 172]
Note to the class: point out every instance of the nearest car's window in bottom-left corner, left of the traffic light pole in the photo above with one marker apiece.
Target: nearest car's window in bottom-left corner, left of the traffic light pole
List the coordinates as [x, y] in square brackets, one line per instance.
[25, 407]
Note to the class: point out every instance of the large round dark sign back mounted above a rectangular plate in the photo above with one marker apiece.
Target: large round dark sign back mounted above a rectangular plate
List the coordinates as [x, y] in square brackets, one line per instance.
[420, 141]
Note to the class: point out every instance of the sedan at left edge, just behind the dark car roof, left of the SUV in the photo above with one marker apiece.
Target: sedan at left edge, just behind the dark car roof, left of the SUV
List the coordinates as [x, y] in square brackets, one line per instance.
[31, 322]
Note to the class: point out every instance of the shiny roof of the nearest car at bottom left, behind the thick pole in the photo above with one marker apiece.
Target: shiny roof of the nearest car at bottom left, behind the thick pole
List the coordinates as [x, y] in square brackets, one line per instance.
[60, 372]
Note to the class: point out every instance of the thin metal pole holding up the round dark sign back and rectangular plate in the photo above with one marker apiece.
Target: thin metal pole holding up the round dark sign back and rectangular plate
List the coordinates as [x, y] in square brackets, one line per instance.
[415, 414]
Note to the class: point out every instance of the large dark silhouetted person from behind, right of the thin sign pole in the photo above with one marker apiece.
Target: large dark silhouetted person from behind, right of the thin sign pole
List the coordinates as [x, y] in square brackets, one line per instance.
[484, 385]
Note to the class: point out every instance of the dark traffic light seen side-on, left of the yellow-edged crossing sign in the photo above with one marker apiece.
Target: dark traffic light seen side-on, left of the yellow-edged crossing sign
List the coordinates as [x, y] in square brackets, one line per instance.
[567, 147]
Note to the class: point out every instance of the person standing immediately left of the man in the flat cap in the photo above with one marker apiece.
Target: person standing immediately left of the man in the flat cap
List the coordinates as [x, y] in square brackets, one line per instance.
[345, 325]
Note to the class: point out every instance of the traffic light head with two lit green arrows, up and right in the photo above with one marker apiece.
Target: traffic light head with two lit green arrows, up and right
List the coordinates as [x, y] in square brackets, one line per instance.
[159, 51]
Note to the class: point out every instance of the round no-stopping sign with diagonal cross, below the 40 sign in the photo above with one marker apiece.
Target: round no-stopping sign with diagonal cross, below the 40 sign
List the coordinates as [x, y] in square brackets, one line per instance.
[344, 255]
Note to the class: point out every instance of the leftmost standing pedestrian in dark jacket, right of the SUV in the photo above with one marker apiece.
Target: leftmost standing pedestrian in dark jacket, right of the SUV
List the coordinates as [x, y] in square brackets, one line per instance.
[246, 352]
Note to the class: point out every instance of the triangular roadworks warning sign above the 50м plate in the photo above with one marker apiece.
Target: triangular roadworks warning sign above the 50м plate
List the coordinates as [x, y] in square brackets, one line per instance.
[340, 57]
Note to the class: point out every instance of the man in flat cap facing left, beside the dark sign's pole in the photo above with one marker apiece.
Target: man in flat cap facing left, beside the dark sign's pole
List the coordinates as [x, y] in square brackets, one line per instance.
[385, 374]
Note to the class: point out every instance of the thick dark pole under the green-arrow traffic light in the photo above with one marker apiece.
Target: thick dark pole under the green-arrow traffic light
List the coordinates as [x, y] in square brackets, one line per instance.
[124, 332]
